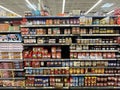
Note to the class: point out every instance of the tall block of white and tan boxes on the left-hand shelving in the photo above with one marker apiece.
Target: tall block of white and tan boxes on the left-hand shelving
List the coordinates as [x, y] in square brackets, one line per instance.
[11, 51]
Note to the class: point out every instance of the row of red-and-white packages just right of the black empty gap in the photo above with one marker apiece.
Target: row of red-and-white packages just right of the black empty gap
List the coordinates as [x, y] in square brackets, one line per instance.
[93, 55]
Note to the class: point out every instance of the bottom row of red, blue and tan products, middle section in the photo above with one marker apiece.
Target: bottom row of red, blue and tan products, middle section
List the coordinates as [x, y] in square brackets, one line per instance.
[47, 82]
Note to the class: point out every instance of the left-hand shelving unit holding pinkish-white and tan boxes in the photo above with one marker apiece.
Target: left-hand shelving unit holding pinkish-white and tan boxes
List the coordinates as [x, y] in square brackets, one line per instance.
[8, 47]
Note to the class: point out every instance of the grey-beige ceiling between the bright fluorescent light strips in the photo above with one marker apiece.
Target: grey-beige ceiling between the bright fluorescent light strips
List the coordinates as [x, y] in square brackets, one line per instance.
[19, 6]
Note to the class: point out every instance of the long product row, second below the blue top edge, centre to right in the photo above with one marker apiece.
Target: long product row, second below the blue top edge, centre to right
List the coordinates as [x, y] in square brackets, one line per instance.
[68, 31]
